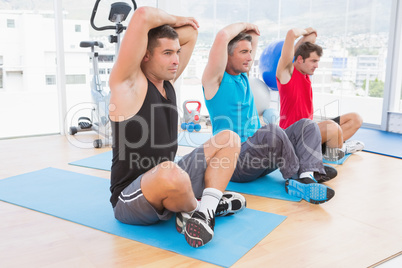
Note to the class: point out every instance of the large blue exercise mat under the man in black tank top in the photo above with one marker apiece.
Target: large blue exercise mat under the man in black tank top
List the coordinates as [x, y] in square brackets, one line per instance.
[84, 200]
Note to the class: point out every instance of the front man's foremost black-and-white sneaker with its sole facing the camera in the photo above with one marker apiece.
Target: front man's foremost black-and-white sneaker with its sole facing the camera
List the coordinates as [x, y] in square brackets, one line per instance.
[199, 229]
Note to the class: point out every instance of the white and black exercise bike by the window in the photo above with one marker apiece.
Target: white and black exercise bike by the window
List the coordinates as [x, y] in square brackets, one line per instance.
[99, 121]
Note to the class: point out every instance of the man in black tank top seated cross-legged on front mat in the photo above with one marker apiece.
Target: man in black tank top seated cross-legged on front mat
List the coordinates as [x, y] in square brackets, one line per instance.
[146, 185]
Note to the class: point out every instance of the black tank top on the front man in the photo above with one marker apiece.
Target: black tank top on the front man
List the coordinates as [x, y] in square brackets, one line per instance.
[144, 140]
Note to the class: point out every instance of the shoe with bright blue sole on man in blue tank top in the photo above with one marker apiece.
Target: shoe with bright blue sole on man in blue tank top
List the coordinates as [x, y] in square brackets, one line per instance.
[309, 190]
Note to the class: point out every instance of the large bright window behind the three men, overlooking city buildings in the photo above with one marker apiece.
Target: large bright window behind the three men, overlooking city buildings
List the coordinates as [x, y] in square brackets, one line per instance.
[354, 37]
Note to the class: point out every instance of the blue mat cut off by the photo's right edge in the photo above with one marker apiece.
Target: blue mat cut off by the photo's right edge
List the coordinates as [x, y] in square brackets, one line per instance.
[380, 142]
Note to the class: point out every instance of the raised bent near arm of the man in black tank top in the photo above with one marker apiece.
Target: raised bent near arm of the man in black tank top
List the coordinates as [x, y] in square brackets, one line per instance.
[128, 83]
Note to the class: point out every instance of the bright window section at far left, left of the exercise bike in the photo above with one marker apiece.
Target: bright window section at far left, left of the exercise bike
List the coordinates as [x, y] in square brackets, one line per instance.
[23, 69]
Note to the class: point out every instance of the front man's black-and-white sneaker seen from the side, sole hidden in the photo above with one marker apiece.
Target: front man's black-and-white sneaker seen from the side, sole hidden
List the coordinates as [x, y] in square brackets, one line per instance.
[230, 203]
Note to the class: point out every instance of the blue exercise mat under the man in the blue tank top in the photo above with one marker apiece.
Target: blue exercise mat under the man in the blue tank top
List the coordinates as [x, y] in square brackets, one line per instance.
[272, 185]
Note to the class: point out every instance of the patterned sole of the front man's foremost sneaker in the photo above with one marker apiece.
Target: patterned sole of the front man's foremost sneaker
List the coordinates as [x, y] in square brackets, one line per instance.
[197, 233]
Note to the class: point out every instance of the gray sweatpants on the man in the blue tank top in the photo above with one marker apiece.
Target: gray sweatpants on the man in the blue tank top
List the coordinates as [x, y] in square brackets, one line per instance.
[294, 150]
